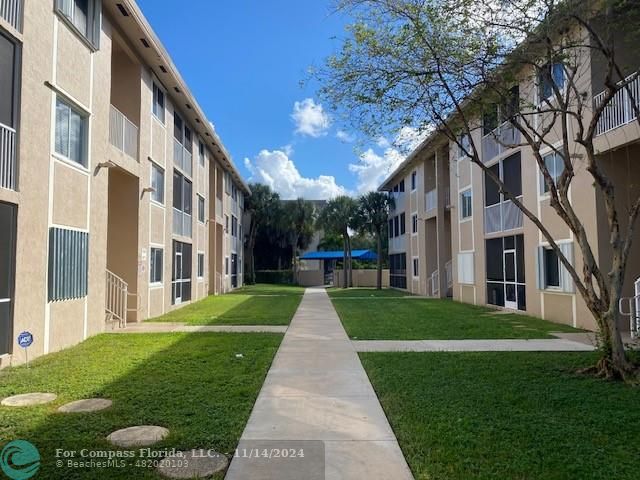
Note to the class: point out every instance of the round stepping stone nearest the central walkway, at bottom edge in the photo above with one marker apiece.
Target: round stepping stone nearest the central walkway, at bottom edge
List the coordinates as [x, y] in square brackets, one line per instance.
[193, 464]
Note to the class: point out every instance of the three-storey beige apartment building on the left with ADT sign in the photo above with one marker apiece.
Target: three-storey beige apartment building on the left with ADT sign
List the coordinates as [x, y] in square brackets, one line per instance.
[118, 201]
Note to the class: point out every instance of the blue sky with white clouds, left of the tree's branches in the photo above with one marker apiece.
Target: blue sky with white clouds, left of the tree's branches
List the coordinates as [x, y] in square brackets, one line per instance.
[246, 62]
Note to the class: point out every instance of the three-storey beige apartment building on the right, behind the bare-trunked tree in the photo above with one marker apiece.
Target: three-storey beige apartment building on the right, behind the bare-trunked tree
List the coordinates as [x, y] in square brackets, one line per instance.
[498, 256]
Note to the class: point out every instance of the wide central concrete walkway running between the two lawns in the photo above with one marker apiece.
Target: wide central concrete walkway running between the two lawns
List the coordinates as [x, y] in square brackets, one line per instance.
[317, 397]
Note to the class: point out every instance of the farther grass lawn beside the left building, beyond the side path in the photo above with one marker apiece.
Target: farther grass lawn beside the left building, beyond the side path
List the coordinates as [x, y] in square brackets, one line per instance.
[252, 305]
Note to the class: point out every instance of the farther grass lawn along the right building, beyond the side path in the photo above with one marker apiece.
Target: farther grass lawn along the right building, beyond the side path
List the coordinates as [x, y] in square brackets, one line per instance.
[383, 317]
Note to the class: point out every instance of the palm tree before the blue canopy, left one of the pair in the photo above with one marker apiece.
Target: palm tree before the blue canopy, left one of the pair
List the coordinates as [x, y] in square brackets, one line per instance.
[338, 217]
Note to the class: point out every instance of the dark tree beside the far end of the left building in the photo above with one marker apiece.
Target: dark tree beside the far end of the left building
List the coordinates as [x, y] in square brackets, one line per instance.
[260, 208]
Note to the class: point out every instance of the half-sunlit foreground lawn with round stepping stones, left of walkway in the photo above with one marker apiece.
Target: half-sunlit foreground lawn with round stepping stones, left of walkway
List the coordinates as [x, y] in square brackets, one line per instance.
[192, 384]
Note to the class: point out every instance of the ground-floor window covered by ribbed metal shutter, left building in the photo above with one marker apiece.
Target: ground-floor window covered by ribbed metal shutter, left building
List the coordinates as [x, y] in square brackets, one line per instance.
[68, 264]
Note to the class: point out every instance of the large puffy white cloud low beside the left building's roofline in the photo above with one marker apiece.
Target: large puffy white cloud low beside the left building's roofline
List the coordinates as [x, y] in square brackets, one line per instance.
[276, 169]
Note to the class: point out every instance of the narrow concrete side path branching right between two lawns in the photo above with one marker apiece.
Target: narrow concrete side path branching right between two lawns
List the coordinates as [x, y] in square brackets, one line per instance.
[505, 345]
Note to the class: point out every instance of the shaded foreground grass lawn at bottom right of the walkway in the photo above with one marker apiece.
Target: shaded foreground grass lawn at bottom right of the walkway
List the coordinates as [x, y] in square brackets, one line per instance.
[504, 415]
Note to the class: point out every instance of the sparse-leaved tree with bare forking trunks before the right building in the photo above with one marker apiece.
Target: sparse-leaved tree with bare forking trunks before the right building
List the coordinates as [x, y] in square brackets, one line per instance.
[518, 73]
